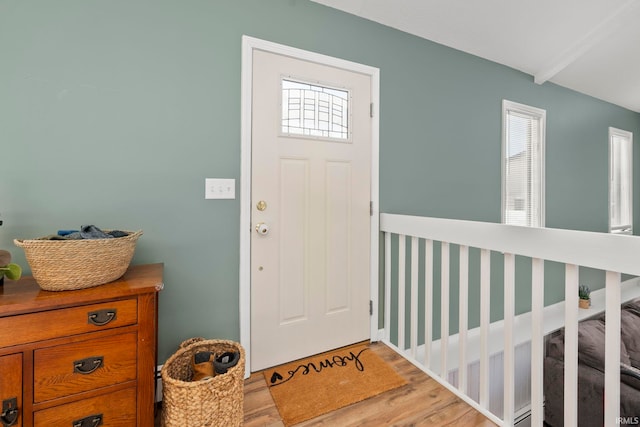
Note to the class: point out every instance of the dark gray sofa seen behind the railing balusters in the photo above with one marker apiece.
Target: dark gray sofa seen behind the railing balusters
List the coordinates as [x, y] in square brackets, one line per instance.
[591, 350]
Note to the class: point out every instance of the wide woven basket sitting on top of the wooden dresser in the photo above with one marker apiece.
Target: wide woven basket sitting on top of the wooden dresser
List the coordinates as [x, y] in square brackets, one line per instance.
[62, 265]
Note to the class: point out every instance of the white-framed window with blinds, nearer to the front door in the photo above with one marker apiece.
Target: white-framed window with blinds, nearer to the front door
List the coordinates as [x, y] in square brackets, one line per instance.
[523, 138]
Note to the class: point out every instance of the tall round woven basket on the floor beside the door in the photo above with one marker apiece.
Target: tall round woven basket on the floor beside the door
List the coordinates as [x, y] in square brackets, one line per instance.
[217, 401]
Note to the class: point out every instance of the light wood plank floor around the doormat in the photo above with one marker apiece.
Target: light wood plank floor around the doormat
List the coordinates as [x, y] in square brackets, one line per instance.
[421, 402]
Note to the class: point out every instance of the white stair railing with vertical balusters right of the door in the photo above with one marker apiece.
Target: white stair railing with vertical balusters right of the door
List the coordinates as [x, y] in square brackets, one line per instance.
[614, 254]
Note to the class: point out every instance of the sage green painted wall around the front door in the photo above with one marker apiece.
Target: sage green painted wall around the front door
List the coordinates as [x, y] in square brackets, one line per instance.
[114, 112]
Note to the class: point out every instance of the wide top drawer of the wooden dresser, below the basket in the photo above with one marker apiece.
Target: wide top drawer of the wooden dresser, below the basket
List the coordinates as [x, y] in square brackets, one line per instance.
[27, 328]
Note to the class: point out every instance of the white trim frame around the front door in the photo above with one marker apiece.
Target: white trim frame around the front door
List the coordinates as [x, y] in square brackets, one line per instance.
[249, 44]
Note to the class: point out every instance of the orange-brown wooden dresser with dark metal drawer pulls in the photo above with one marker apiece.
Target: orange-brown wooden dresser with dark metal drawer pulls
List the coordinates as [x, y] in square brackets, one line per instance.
[80, 358]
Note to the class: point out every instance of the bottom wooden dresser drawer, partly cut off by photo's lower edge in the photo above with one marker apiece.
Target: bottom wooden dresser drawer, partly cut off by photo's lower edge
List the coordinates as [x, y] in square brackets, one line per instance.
[116, 409]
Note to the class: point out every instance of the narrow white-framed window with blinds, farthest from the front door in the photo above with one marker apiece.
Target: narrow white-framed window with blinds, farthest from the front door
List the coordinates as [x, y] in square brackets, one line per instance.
[620, 179]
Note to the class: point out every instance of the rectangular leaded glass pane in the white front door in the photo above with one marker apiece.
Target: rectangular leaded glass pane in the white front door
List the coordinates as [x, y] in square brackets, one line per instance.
[315, 111]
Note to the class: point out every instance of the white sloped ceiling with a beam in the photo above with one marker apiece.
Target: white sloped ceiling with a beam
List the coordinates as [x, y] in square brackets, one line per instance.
[591, 46]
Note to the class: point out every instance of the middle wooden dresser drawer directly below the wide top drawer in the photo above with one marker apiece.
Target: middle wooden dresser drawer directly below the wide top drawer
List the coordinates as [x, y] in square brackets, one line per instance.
[83, 366]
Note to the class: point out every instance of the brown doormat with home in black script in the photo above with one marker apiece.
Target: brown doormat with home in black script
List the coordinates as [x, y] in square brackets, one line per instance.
[310, 387]
